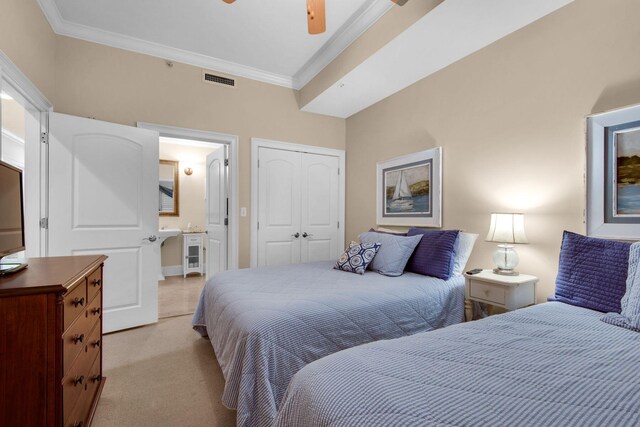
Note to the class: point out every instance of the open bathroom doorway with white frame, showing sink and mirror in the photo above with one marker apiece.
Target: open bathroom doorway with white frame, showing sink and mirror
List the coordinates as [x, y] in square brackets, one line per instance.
[197, 214]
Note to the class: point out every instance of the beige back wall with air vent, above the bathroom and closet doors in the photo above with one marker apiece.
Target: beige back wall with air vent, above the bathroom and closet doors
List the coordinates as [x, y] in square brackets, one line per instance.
[124, 87]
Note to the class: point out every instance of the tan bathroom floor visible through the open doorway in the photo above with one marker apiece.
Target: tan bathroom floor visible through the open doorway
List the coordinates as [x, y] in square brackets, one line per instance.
[178, 296]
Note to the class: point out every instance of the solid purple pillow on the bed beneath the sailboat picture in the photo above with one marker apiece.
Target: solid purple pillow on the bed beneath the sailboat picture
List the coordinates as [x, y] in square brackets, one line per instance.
[435, 254]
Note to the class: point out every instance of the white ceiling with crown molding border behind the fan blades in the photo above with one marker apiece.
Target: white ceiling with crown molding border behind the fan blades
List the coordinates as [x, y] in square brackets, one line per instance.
[260, 39]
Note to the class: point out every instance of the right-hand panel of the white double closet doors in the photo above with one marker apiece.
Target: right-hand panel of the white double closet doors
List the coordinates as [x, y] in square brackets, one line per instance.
[320, 192]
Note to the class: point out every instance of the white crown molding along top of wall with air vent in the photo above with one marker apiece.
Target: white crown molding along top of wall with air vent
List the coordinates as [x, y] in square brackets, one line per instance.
[70, 29]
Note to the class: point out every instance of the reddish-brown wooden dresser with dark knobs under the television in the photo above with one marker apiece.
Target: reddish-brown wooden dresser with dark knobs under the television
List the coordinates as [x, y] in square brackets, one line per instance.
[51, 342]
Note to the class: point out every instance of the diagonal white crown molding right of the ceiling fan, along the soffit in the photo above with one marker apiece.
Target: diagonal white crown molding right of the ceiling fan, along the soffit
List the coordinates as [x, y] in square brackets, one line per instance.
[366, 16]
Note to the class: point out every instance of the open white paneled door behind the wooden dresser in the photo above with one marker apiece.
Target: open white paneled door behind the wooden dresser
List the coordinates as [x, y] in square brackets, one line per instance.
[103, 199]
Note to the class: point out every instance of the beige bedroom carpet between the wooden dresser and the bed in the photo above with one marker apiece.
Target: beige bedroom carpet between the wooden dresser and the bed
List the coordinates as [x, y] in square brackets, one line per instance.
[161, 375]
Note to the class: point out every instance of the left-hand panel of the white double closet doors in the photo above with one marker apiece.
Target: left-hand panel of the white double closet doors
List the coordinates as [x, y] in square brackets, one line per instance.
[278, 207]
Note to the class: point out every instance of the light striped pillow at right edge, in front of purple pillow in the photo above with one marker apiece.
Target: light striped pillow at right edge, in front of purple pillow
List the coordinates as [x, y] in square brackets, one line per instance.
[630, 315]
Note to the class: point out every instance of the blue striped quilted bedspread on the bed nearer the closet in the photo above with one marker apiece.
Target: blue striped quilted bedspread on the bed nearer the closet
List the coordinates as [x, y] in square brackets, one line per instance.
[265, 324]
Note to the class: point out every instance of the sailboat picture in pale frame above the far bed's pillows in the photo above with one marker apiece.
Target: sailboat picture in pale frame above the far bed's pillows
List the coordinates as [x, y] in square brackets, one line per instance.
[409, 190]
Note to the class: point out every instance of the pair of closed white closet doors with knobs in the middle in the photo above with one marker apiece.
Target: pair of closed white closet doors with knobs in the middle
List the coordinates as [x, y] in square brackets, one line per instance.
[298, 207]
